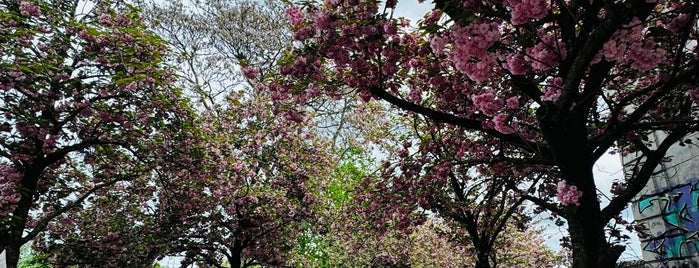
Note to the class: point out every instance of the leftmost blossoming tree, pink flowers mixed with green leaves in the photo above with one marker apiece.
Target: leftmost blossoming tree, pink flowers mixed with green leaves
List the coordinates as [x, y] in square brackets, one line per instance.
[84, 94]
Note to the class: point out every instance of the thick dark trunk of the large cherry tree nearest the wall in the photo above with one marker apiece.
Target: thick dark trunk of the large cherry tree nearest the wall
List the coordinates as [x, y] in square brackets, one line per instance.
[566, 133]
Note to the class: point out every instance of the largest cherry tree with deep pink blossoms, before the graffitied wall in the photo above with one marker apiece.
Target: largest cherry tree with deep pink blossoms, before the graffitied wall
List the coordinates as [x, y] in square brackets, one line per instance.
[519, 96]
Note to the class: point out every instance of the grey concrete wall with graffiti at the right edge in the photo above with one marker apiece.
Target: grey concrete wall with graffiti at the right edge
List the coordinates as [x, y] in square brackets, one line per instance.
[669, 207]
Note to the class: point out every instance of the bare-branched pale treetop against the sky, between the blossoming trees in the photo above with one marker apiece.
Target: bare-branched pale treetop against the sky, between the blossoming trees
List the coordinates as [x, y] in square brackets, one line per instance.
[213, 45]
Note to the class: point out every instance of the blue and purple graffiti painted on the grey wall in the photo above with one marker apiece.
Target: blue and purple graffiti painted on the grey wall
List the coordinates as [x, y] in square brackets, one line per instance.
[680, 215]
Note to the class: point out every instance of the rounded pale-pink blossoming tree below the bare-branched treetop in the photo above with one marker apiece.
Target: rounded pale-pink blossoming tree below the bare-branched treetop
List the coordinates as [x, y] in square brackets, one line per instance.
[261, 188]
